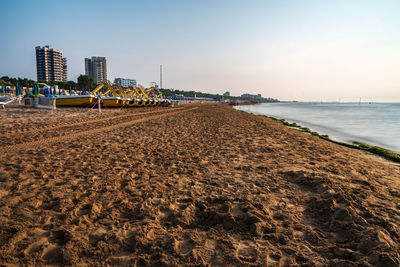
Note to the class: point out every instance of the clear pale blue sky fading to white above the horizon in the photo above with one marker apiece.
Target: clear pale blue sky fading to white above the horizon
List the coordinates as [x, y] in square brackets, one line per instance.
[286, 49]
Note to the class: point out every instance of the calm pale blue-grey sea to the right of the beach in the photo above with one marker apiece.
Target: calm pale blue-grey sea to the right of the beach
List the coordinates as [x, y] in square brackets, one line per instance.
[375, 123]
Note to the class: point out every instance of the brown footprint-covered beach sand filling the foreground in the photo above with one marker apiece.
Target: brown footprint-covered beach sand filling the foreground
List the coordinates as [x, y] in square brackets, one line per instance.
[188, 186]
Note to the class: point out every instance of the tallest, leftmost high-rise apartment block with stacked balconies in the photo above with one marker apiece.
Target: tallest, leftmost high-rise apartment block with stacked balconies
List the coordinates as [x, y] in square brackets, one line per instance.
[50, 64]
